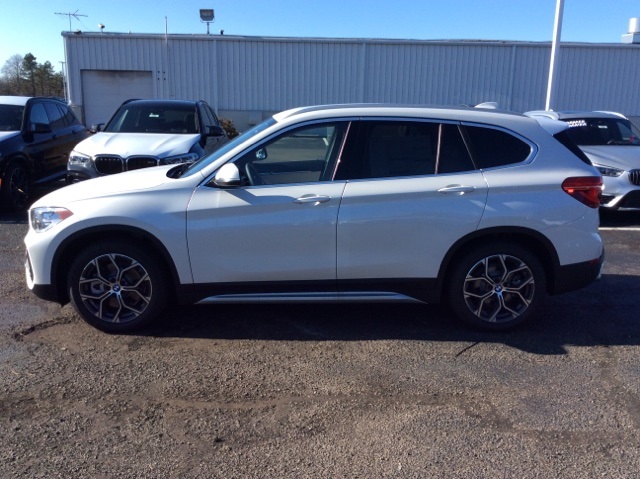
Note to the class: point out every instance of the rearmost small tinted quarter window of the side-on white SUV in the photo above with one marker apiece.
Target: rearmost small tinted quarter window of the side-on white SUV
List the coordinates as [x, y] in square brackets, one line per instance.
[491, 147]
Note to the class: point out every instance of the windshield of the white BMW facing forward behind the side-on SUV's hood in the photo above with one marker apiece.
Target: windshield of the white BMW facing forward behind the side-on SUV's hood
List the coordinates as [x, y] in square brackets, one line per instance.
[154, 118]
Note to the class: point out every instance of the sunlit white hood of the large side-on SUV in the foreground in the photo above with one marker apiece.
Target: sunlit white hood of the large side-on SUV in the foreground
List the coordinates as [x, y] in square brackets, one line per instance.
[105, 186]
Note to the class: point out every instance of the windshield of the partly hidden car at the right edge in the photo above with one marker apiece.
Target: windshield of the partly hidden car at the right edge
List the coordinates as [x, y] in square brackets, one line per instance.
[603, 131]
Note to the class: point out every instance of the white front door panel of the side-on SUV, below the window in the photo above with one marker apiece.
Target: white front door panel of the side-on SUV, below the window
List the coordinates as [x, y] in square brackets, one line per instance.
[264, 233]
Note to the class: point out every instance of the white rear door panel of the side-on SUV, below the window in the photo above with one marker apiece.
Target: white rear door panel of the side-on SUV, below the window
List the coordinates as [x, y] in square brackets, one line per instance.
[403, 227]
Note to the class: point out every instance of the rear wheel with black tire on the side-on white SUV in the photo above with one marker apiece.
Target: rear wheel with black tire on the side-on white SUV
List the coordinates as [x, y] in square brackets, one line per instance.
[496, 287]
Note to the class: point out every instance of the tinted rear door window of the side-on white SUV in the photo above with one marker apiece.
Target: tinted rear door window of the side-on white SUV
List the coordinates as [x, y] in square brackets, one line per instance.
[405, 148]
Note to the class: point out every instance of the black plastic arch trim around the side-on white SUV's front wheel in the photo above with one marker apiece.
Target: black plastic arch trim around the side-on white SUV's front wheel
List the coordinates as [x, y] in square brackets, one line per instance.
[65, 252]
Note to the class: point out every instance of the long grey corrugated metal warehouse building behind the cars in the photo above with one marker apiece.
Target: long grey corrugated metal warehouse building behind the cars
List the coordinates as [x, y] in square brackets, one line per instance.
[248, 78]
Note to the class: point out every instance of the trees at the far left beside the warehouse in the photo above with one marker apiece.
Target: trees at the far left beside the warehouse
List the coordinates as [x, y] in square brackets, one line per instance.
[24, 76]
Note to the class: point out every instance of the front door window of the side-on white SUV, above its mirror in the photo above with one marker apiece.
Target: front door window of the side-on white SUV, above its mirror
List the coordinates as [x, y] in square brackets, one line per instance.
[305, 154]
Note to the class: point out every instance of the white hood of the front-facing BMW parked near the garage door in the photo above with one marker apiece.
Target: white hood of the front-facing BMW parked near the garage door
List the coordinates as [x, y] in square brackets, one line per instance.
[128, 144]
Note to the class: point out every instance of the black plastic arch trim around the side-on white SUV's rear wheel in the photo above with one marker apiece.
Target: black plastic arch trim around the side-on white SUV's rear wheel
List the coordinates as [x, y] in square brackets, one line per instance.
[532, 240]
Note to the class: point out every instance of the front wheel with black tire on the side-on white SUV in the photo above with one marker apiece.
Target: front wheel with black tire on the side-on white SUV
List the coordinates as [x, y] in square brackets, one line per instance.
[117, 287]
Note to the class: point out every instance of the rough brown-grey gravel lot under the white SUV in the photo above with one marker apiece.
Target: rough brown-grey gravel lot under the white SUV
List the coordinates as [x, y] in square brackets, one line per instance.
[324, 391]
